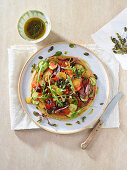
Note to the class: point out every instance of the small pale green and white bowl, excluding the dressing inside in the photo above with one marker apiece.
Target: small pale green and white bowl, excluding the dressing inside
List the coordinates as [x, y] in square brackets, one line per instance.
[33, 14]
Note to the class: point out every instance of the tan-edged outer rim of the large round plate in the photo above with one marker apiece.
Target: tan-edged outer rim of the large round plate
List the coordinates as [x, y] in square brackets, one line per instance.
[19, 89]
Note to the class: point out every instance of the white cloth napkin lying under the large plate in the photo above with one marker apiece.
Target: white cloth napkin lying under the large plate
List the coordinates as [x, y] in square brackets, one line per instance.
[18, 56]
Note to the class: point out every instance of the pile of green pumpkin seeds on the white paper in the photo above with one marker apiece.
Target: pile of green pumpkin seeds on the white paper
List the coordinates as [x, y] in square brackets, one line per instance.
[120, 46]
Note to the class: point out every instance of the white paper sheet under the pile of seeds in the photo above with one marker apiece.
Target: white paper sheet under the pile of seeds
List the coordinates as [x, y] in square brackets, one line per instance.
[103, 36]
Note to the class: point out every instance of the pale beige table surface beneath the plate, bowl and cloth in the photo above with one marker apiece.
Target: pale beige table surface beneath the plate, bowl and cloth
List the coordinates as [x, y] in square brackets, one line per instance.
[72, 20]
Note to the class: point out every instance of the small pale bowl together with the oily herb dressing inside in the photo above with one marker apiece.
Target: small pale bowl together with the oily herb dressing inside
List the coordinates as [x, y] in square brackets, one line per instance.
[34, 26]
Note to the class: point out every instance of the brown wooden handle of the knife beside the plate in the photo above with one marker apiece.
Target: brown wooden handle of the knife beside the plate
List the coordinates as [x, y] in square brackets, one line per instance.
[91, 135]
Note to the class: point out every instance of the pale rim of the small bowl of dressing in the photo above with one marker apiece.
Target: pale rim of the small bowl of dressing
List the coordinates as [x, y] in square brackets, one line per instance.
[43, 37]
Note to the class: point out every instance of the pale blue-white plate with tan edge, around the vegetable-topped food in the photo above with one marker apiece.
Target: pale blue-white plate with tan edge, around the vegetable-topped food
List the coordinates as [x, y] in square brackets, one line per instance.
[97, 68]
